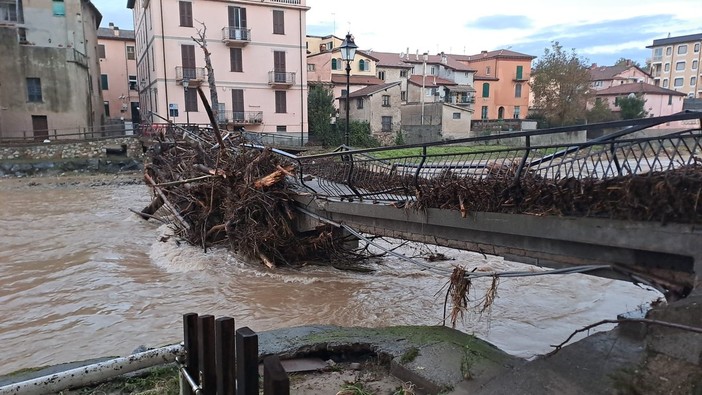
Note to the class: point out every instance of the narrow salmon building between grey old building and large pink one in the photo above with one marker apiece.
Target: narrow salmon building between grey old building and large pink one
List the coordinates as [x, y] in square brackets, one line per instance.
[118, 76]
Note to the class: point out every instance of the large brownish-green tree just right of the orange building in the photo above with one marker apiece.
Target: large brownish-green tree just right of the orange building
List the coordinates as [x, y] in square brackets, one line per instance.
[561, 86]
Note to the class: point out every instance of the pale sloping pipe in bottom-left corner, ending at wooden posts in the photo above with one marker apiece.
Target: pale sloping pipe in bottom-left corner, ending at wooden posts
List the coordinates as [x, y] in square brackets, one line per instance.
[95, 373]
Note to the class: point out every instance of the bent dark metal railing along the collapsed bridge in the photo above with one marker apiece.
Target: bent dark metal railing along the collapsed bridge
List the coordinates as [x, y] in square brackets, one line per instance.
[400, 173]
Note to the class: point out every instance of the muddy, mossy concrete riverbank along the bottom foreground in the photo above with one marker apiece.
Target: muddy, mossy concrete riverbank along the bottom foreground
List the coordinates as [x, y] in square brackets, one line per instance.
[438, 360]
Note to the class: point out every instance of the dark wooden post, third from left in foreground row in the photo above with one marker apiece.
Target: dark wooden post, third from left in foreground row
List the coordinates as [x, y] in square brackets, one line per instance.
[224, 352]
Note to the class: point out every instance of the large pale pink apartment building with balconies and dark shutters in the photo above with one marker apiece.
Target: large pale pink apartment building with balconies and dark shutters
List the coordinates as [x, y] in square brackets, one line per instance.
[258, 55]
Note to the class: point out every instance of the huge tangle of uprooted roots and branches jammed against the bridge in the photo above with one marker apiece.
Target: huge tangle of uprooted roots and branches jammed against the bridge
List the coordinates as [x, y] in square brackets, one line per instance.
[237, 198]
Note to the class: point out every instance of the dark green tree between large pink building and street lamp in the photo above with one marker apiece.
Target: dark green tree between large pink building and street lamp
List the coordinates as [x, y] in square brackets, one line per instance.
[320, 104]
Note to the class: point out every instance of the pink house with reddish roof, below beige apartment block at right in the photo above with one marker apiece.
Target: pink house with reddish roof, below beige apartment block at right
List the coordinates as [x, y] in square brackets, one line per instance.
[658, 101]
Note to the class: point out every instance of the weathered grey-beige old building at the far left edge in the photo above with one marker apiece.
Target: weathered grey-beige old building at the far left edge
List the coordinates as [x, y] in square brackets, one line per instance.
[50, 79]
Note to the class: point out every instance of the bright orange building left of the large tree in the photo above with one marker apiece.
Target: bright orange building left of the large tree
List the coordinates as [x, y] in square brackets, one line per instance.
[501, 83]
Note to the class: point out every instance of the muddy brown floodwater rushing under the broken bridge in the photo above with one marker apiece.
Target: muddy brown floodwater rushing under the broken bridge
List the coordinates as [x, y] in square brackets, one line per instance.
[81, 276]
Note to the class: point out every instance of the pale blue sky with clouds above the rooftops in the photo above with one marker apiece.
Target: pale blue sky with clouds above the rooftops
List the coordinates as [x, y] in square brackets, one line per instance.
[600, 31]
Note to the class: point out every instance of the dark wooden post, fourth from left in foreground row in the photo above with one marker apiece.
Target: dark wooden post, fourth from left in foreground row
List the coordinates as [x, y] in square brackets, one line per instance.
[246, 361]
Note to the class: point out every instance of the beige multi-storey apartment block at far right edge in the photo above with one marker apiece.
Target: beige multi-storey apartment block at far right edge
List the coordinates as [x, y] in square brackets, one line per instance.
[675, 64]
